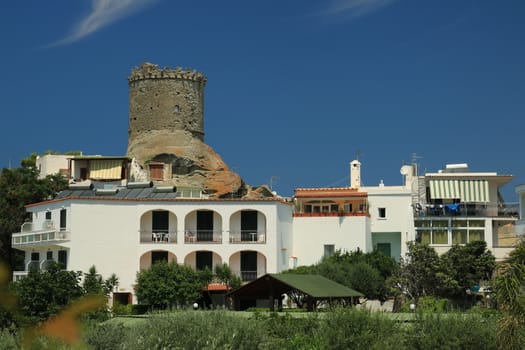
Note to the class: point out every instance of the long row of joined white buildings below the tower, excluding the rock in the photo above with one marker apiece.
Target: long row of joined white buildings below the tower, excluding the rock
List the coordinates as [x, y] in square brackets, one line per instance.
[122, 227]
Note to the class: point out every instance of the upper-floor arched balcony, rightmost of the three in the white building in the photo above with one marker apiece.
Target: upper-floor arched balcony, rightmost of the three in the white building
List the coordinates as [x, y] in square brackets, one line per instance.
[247, 226]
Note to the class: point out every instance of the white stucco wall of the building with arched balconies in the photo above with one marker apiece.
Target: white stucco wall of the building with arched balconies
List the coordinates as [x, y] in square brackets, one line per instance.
[106, 234]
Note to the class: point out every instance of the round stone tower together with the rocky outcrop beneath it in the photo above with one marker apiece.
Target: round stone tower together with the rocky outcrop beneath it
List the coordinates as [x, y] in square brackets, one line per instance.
[166, 134]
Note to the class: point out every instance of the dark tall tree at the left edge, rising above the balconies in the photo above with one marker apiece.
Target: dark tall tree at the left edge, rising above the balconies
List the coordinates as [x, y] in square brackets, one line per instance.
[19, 187]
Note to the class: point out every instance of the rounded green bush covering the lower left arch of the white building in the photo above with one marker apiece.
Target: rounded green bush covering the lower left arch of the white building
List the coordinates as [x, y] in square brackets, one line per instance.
[166, 285]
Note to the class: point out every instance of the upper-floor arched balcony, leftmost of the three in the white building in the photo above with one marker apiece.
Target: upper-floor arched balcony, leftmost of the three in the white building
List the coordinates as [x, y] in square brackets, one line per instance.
[158, 227]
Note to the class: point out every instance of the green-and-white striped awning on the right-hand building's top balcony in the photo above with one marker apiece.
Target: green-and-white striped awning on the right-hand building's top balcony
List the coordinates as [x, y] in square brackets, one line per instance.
[464, 190]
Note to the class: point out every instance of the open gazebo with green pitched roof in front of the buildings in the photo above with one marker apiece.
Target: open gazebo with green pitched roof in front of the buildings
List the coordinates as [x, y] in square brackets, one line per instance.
[272, 286]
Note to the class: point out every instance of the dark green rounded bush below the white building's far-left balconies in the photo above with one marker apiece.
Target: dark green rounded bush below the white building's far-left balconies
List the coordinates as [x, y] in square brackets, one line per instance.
[43, 294]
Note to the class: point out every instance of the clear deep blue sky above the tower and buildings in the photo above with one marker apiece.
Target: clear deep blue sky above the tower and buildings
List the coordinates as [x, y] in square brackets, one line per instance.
[296, 88]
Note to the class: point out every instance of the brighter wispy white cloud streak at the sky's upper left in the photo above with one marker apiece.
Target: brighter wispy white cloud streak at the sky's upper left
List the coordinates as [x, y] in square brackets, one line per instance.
[103, 13]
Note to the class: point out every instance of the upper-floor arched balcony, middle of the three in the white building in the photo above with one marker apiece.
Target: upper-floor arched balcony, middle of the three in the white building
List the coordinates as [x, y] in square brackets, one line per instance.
[203, 226]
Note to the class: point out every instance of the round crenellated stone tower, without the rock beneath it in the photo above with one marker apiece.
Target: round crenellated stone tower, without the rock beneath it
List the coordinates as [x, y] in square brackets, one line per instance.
[165, 101]
